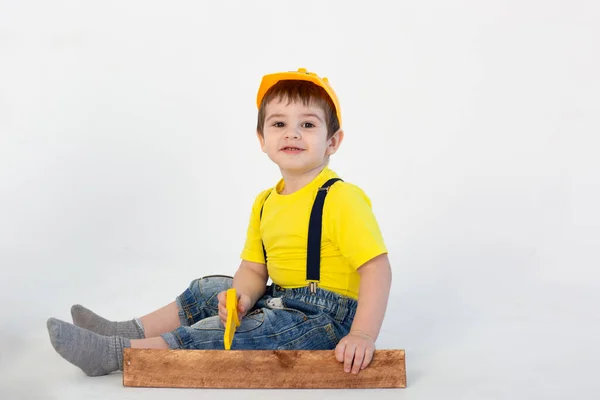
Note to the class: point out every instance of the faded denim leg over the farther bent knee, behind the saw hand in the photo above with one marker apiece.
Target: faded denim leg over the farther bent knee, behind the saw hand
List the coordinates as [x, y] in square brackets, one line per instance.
[200, 300]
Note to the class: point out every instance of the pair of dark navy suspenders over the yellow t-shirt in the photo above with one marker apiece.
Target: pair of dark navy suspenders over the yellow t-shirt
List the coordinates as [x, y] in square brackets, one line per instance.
[315, 227]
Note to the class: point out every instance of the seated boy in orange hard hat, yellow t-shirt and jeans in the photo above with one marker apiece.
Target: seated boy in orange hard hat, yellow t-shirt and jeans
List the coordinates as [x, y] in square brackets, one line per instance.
[329, 266]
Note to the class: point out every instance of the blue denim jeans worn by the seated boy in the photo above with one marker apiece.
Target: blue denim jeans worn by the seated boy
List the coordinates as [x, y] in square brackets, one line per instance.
[283, 319]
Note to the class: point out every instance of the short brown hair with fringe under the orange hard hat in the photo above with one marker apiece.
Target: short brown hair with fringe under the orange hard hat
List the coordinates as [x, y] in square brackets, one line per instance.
[302, 91]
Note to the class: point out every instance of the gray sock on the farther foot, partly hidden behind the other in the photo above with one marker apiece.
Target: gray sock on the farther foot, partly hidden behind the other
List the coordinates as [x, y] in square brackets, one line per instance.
[87, 319]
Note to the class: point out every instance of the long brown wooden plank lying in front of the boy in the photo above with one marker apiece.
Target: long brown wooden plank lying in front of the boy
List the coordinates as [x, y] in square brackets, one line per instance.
[258, 369]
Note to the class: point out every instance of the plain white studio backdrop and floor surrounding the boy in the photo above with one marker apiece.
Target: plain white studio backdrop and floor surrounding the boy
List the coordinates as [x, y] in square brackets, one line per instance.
[129, 161]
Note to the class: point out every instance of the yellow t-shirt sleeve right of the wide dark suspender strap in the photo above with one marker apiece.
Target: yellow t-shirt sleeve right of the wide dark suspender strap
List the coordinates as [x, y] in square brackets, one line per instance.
[351, 224]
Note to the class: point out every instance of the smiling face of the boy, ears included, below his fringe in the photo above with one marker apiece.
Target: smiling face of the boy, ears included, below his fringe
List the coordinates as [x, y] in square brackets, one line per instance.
[295, 136]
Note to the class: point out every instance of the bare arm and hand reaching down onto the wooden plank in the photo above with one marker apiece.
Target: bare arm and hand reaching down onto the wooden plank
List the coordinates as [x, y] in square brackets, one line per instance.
[357, 348]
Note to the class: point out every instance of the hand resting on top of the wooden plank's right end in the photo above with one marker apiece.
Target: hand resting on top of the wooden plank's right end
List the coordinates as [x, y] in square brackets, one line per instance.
[356, 351]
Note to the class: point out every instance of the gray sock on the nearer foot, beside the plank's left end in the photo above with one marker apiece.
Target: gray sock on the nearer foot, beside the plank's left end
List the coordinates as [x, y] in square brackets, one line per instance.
[95, 354]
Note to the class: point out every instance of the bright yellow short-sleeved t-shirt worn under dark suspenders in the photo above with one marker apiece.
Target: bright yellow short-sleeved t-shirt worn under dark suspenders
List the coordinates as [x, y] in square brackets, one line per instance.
[350, 234]
